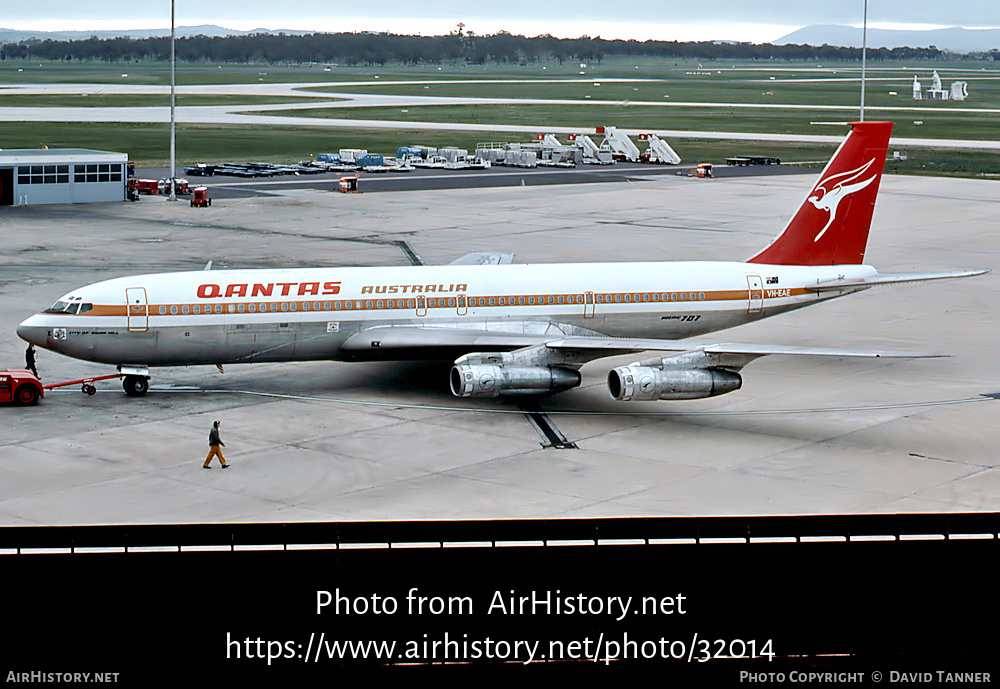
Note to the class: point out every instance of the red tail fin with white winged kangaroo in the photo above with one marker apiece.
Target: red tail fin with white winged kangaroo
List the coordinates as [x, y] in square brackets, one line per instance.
[832, 225]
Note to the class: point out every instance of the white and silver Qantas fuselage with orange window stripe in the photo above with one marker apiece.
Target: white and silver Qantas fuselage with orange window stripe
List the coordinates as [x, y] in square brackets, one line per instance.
[232, 316]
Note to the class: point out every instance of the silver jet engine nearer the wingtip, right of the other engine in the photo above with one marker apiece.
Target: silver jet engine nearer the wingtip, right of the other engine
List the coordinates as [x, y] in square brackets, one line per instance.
[635, 382]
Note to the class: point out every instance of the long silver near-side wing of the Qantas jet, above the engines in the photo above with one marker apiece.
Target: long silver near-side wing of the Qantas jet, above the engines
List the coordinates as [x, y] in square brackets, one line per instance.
[447, 340]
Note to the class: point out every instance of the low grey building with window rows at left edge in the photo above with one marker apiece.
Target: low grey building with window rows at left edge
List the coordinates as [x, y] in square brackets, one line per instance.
[61, 175]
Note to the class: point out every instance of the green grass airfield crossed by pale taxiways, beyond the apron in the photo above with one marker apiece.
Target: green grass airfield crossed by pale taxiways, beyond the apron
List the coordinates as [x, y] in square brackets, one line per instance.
[662, 81]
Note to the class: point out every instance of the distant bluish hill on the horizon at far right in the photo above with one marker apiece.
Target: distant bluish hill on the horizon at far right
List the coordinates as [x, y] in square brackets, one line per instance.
[954, 40]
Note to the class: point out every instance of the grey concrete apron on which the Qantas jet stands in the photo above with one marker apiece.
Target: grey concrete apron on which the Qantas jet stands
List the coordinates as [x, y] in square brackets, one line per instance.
[335, 441]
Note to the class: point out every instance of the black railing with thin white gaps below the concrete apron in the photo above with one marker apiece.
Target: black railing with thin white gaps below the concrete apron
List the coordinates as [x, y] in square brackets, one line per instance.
[542, 532]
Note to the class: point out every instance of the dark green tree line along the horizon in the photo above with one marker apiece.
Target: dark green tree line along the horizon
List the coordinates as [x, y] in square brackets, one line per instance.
[383, 48]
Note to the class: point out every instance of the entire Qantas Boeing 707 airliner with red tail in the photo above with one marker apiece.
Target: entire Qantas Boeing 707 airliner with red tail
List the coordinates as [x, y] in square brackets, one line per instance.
[510, 329]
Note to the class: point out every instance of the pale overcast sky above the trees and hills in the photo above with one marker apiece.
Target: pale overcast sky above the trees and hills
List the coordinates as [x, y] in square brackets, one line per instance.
[761, 20]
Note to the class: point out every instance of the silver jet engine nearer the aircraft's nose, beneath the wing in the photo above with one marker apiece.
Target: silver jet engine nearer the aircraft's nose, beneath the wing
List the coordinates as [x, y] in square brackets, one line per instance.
[493, 380]
